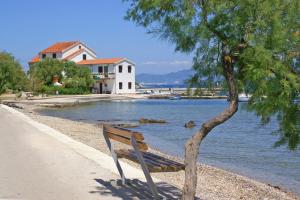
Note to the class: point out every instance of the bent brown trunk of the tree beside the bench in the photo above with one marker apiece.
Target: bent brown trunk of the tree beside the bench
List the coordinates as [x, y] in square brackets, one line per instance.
[193, 144]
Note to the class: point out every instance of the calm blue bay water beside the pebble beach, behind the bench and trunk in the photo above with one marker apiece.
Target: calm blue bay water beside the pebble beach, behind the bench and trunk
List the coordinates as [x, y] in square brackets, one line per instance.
[240, 145]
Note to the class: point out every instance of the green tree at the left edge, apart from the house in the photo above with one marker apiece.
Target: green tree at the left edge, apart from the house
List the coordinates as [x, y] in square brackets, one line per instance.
[12, 75]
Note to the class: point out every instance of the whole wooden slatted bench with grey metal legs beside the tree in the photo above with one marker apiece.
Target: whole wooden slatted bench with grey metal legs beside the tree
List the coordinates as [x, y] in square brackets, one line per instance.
[149, 162]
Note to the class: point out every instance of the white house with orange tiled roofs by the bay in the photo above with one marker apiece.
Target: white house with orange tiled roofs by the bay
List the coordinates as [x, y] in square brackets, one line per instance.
[112, 75]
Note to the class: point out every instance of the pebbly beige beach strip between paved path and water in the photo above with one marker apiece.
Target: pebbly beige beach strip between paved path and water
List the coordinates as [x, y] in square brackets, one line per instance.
[213, 183]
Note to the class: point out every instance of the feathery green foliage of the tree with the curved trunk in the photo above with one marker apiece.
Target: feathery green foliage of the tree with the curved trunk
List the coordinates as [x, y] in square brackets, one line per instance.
[260, 39]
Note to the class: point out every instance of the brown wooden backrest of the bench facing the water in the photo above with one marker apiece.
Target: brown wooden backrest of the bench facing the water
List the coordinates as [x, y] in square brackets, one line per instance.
[124, 136]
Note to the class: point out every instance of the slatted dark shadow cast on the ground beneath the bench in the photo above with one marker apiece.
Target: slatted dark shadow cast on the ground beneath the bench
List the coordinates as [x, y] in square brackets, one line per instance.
[136, 189]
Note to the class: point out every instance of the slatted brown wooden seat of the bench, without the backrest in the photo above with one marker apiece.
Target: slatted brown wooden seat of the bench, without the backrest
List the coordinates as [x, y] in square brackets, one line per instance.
[153, 163]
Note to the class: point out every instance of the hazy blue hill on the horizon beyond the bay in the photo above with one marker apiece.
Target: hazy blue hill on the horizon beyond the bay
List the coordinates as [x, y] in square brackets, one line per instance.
[176, 78]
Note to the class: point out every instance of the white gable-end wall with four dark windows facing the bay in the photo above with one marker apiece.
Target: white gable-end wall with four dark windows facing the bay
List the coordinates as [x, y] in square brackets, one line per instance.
[125, 77]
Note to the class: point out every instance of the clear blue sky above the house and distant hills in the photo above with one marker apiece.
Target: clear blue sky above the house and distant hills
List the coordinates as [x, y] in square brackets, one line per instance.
[29, 26]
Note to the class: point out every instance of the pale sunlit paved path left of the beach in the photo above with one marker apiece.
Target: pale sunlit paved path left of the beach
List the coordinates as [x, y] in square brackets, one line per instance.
[34, 165]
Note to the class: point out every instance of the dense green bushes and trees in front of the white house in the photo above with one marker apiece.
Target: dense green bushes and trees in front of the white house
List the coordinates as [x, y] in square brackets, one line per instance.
[76, 79]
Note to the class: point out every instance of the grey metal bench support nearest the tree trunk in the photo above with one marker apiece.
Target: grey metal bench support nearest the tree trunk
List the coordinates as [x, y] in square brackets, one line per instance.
[145, 169]
